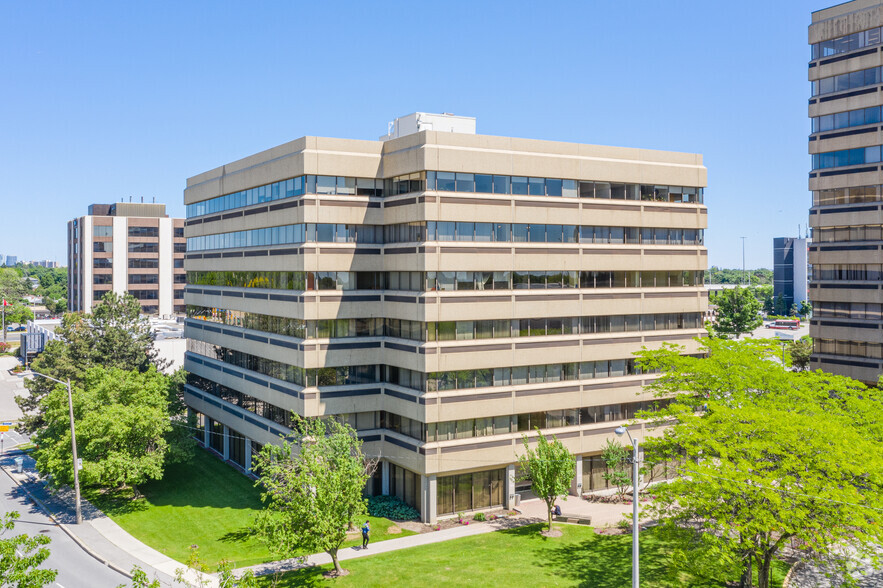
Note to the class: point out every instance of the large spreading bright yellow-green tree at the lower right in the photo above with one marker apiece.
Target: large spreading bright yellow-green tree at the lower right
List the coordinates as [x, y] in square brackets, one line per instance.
[770, 458]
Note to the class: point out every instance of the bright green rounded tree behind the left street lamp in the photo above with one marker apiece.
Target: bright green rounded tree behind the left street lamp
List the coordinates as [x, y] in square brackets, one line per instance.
[122, 425]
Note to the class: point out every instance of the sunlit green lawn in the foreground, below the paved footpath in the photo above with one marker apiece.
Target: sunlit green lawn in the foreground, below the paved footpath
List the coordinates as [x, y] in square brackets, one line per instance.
[517, 557]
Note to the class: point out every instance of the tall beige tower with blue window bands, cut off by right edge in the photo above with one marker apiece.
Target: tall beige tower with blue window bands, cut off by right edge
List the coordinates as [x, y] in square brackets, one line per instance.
[846, 75]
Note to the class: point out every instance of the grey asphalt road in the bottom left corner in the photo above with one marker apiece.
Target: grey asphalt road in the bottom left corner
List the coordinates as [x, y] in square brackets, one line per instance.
[76, 568]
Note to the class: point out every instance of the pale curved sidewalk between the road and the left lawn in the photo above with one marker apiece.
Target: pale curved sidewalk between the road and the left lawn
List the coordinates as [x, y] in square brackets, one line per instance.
[98, 535]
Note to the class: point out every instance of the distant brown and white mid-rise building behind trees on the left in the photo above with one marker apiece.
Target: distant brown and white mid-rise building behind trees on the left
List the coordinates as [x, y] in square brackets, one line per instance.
[127, 247]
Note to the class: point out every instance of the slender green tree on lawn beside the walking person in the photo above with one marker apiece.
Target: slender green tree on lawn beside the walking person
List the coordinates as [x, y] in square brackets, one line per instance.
[312, 489]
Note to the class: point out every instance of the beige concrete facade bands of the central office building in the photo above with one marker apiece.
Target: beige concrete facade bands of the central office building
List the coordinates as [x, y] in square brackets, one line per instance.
[229, 394]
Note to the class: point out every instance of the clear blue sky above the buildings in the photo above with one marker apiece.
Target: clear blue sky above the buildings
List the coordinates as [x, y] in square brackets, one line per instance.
[103, 100]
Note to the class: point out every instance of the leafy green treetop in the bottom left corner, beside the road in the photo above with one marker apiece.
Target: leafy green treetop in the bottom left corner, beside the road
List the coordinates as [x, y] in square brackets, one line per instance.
[20, 556]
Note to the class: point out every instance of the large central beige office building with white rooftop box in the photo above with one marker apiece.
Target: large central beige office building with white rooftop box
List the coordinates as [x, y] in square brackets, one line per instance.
[444, 293]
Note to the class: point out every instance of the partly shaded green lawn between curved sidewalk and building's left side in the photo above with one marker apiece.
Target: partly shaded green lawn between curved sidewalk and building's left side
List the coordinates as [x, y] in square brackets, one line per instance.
[206, 503]
